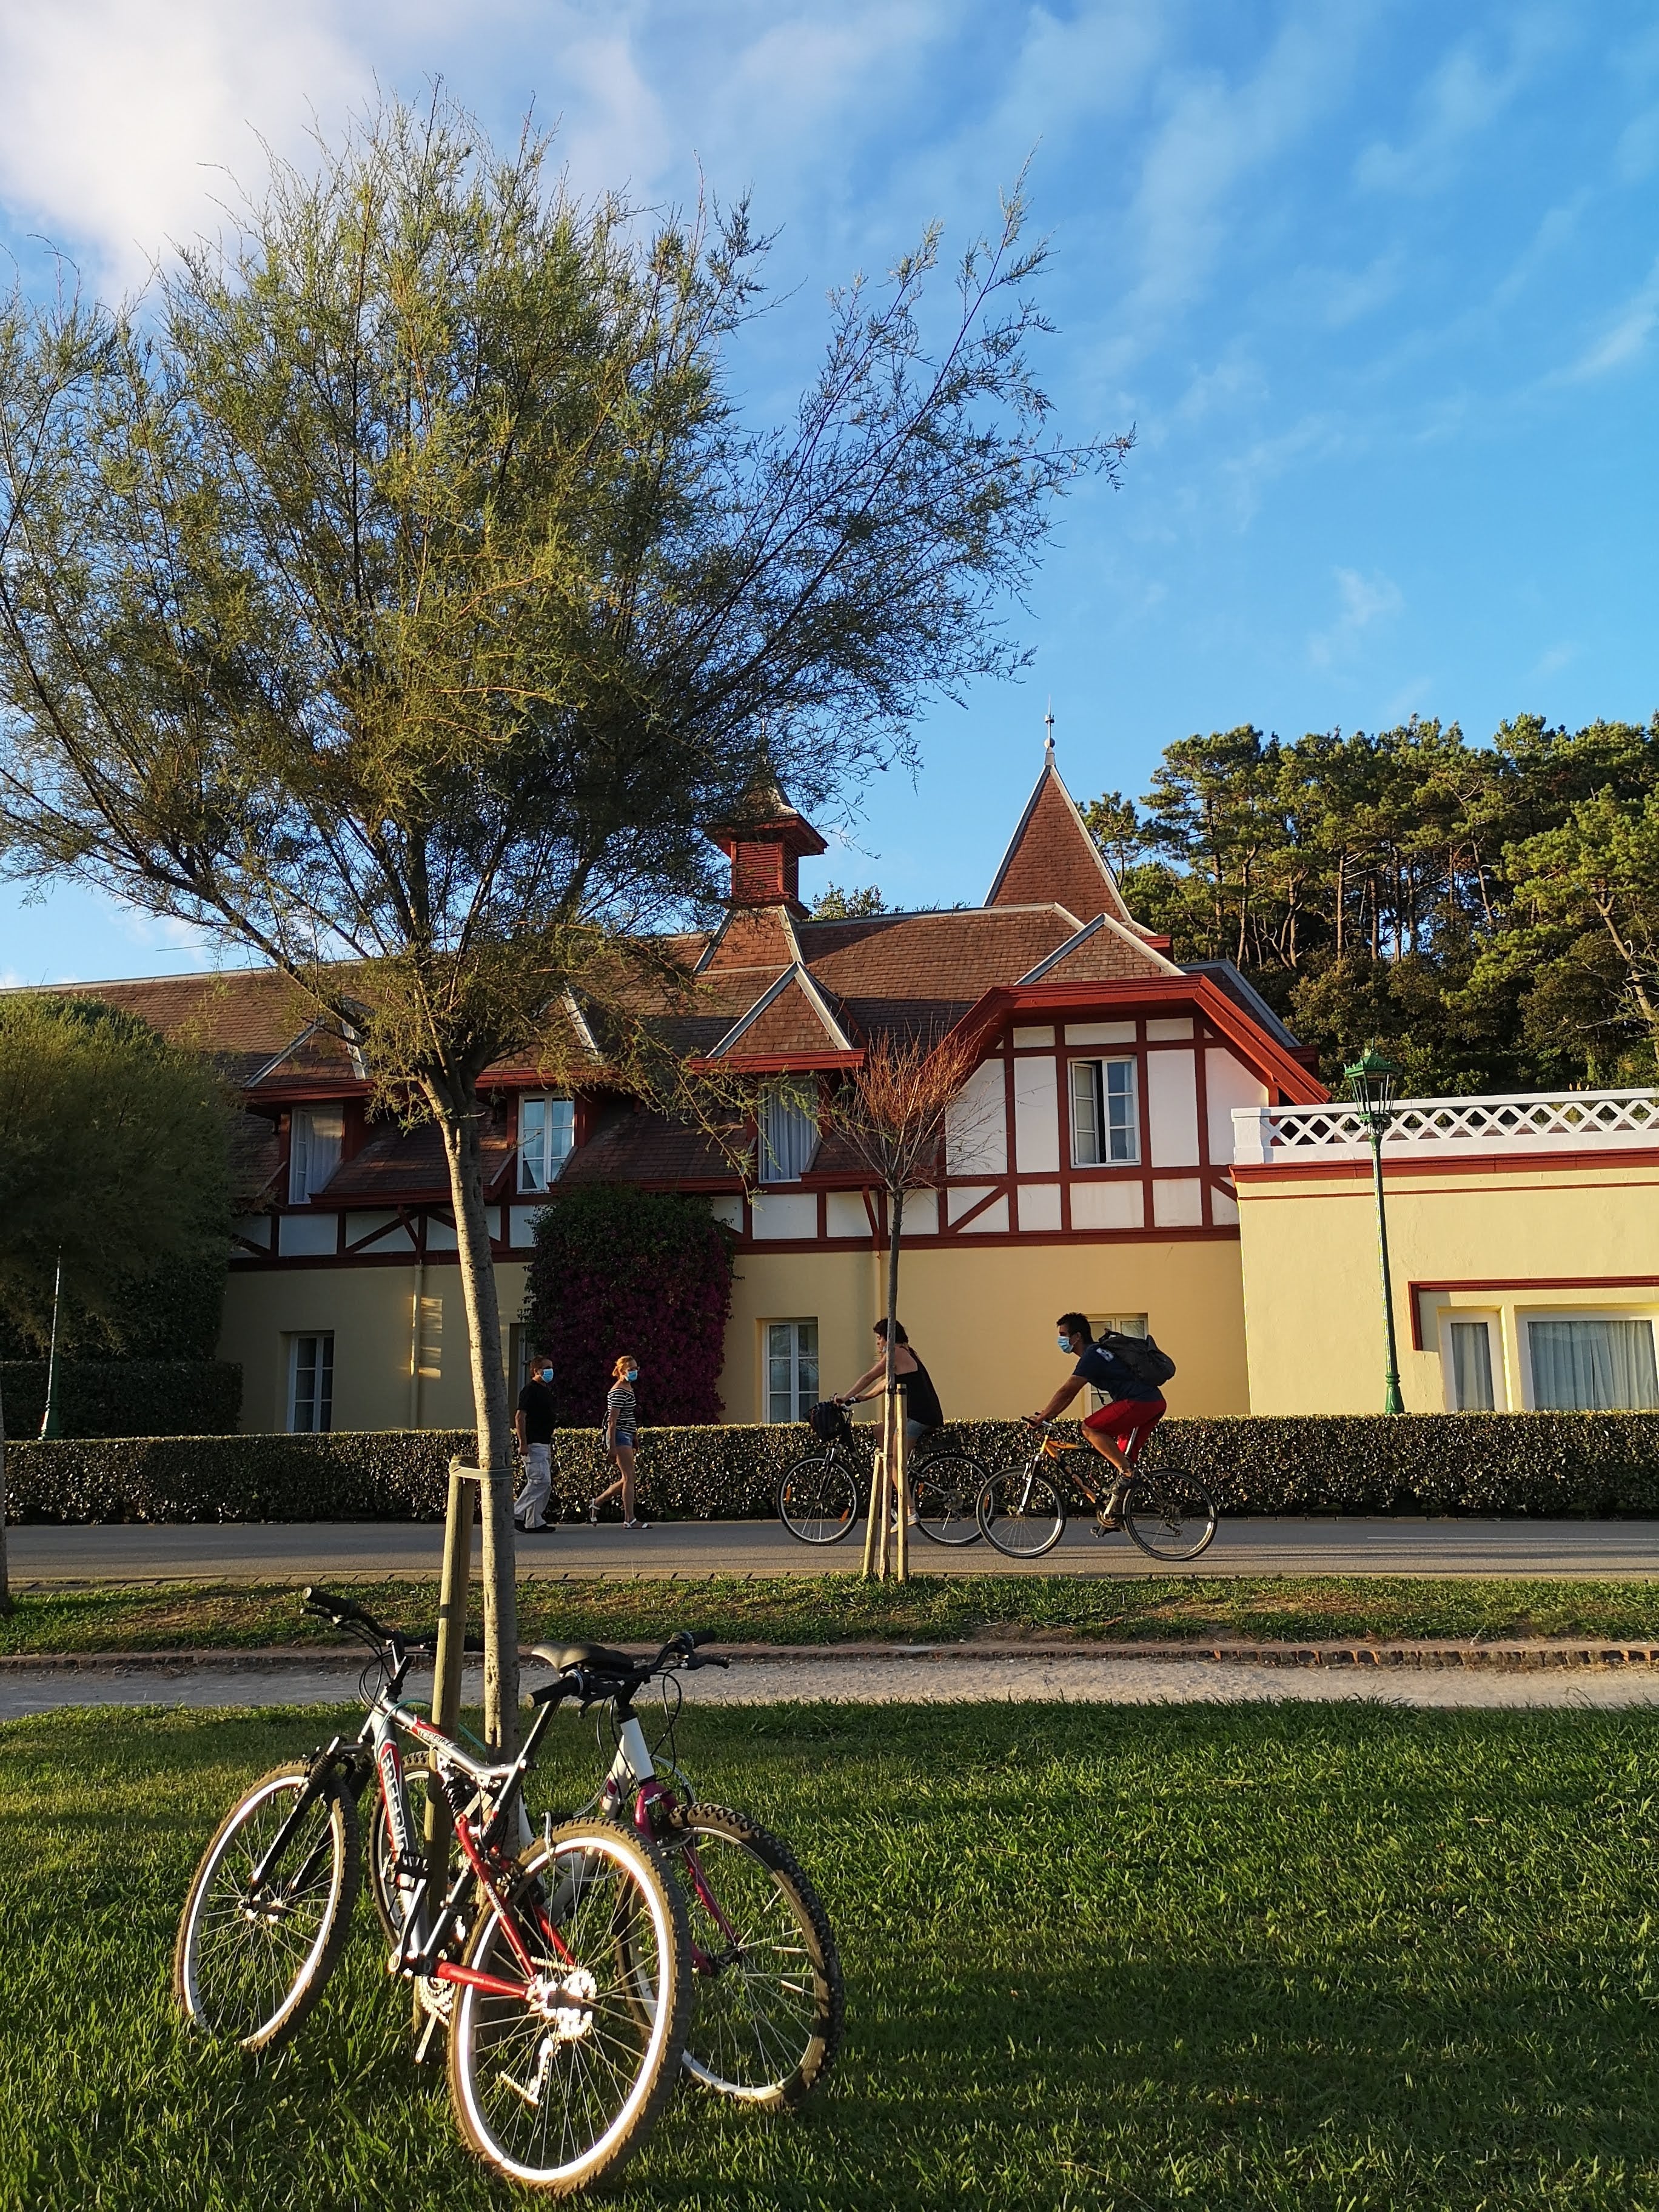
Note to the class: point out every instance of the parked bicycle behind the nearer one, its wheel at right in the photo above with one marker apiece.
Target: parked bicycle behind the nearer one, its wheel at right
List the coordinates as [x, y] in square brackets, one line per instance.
[769, 2001]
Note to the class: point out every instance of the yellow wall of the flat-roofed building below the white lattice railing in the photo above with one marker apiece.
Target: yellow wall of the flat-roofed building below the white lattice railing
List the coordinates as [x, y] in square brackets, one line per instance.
[1313, 1297]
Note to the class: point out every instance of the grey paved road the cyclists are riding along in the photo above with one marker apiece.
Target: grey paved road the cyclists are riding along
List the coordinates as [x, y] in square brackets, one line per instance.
[293, 1552]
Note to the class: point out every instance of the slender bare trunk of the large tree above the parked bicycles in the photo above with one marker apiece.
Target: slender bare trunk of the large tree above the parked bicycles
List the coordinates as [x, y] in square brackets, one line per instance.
[459, 1118]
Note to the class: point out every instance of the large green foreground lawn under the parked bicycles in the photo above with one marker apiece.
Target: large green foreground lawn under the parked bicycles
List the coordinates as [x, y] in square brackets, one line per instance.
[1339, 1959]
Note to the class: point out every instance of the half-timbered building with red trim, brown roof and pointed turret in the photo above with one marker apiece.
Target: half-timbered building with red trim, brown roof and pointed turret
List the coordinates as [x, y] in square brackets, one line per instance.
[1089, 1162]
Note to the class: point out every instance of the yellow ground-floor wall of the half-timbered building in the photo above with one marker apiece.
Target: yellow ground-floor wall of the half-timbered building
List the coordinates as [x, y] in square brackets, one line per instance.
[981, 1317]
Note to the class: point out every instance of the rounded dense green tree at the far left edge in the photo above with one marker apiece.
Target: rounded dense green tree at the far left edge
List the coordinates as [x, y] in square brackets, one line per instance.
[114, 1160]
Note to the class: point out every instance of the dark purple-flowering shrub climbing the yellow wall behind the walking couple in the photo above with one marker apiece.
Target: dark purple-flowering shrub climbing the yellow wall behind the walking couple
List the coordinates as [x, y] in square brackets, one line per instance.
[632, 1271]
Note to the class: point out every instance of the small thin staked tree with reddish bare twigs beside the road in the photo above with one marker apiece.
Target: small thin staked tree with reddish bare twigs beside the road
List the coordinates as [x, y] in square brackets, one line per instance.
[893, 1116]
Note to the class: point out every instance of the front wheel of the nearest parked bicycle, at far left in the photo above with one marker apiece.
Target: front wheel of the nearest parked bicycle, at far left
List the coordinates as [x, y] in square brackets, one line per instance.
[251, 1963]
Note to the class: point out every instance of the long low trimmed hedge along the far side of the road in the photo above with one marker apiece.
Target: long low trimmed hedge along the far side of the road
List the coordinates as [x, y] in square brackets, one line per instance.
[1545, 1465]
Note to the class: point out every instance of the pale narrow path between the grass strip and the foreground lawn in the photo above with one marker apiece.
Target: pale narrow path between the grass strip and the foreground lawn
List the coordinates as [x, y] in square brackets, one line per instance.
[904, 1682]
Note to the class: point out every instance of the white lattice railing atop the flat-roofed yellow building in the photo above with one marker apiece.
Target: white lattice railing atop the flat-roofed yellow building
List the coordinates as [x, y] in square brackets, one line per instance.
[1532, 1123]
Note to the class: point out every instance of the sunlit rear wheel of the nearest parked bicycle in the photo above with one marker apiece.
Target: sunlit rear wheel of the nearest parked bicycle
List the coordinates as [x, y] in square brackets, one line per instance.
[561, 2080]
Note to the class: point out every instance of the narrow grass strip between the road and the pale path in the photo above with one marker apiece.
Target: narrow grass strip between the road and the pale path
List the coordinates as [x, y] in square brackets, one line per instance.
[833, 1609]
